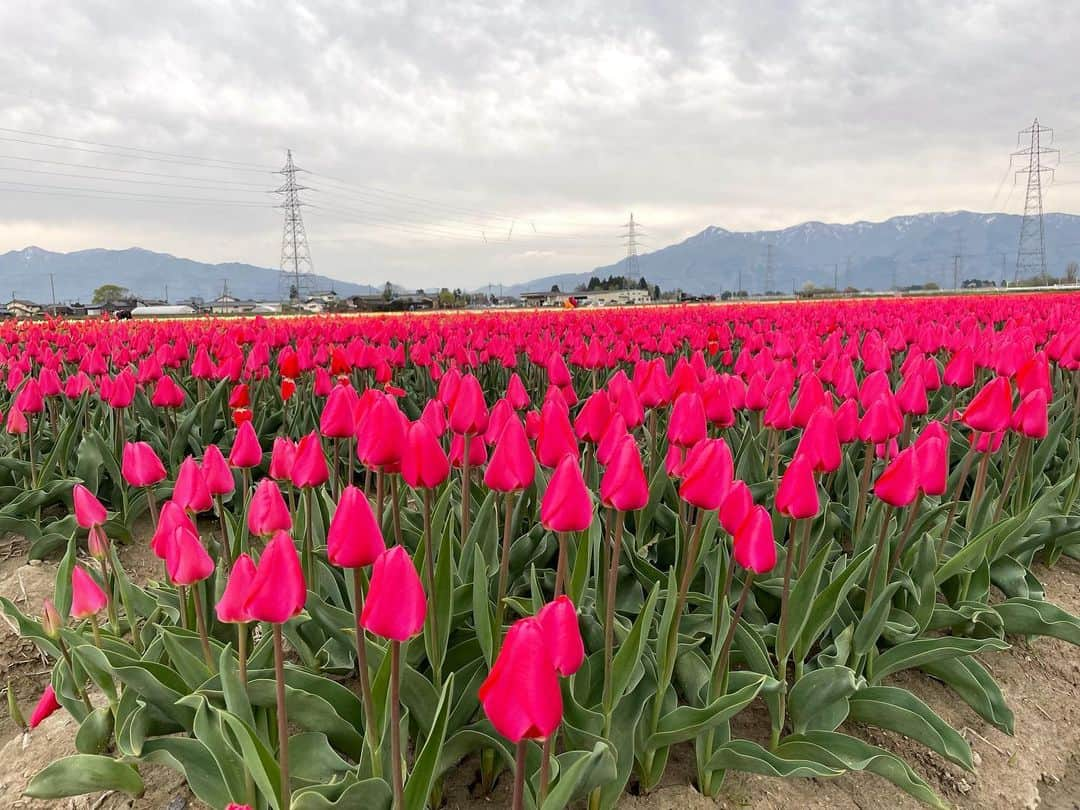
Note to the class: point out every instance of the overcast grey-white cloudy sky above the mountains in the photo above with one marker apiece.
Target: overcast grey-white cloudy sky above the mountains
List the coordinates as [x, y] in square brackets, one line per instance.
[472, 143]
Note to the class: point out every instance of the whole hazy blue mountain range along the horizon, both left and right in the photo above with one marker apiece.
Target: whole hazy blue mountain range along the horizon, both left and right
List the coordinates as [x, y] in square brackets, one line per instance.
[899, 252]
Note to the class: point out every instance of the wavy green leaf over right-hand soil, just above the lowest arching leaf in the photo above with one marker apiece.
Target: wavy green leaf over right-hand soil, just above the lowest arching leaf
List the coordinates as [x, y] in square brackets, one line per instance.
[898, 710]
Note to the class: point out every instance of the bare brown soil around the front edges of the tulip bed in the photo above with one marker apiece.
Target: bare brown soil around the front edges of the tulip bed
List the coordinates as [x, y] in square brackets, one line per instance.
[1037, 768]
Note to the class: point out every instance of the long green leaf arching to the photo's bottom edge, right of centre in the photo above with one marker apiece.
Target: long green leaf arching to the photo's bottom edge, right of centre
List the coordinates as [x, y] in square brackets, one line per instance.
[840, 751]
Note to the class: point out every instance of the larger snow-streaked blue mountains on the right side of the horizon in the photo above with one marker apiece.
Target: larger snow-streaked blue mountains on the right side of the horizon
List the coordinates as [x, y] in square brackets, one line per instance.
[900, 252]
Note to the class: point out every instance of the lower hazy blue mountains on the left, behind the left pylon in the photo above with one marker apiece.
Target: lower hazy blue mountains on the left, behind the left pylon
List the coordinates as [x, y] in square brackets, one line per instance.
[75, 276]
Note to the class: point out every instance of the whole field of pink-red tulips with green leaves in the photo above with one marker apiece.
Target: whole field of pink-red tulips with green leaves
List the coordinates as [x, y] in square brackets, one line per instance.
[555, 551]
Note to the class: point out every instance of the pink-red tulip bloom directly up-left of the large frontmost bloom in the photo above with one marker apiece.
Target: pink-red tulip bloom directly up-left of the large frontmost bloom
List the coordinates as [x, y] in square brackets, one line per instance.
[396, 606]
